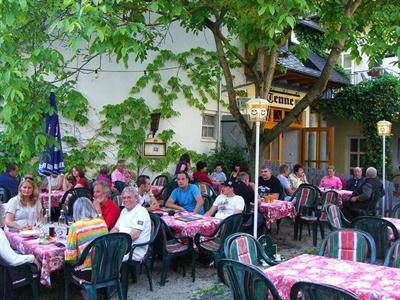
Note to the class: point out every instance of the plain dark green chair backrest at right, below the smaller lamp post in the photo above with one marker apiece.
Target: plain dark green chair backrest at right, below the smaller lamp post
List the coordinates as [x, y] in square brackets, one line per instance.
[379, 229]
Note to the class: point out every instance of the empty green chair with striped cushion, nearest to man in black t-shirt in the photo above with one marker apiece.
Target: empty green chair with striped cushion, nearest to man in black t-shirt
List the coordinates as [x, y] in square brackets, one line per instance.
[307, 196]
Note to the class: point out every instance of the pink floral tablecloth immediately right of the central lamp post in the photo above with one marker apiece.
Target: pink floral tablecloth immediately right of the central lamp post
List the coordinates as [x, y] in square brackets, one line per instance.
[276, 210]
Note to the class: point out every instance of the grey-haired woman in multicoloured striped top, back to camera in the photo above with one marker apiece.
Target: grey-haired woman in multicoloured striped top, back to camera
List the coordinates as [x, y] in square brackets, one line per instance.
[86, 228]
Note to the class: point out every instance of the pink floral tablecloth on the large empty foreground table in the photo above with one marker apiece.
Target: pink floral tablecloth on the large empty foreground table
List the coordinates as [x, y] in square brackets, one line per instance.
[369, 282]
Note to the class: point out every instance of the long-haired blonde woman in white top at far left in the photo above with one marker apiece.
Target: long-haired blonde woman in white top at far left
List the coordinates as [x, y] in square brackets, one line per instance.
[25, 209]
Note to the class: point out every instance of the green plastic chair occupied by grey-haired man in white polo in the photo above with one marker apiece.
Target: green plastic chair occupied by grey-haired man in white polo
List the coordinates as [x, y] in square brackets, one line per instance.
[148, 258]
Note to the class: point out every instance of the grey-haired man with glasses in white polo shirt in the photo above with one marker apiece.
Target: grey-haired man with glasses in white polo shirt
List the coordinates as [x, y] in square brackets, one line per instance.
[135, 220]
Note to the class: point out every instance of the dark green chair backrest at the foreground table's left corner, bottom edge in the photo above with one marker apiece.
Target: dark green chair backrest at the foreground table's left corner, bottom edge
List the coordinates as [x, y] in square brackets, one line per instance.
[246, 282]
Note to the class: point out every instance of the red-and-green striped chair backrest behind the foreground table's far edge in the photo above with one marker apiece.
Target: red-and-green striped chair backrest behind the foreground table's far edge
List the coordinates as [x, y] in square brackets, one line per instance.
[349, 244]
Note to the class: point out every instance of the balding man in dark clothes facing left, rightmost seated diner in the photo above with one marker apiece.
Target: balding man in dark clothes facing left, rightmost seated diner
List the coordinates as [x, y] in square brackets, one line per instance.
[362, 196]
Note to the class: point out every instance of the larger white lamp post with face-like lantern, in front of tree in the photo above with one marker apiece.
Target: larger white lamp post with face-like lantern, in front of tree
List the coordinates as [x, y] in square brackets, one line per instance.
[257, 111]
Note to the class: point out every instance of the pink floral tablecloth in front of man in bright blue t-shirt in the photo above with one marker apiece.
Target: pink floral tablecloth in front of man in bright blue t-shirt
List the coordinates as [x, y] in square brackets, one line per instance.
[204, 224]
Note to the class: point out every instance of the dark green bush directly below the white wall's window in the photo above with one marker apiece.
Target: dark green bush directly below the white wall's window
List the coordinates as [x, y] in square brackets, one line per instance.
[226, 155]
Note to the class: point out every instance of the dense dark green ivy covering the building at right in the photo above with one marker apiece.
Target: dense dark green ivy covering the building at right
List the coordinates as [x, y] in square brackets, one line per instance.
[367, 103]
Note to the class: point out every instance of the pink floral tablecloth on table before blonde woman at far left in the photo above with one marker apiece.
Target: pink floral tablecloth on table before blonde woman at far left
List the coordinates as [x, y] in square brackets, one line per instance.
[50, 256]
